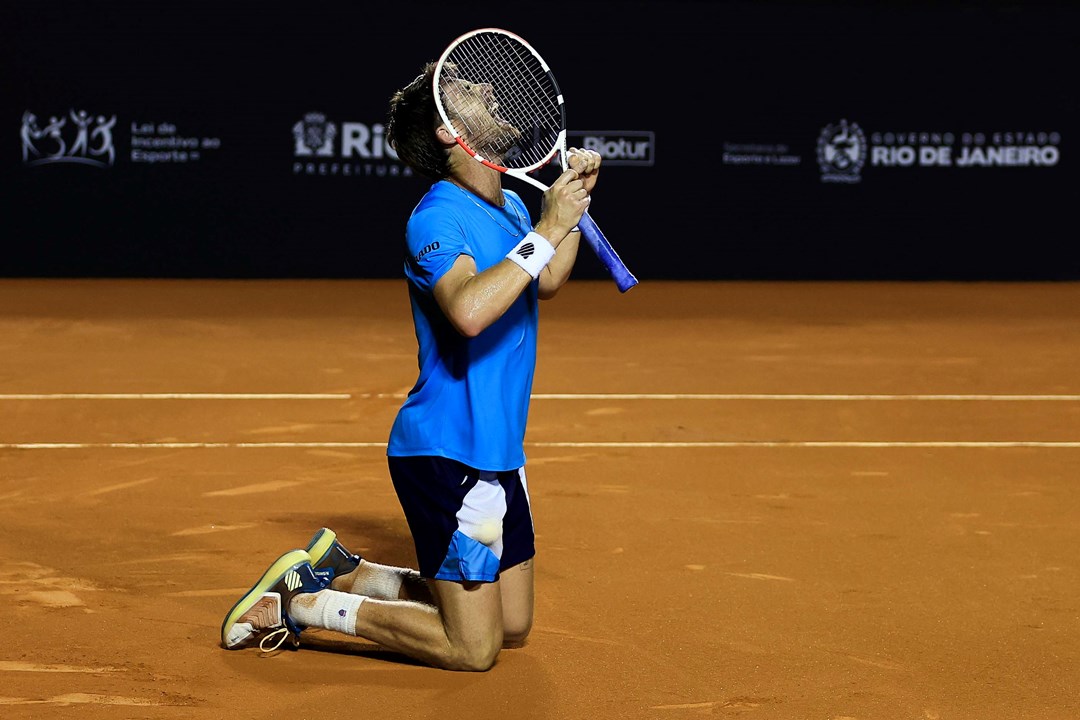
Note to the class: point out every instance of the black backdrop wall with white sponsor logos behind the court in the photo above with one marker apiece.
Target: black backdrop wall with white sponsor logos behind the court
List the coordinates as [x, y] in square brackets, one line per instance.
[767, 141]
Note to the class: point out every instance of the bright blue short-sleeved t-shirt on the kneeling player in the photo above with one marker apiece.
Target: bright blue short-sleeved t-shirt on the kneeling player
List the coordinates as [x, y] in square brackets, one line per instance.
[471, 400]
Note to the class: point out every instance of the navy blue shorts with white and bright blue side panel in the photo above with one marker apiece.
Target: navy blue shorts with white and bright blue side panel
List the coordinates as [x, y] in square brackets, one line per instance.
[467, 525]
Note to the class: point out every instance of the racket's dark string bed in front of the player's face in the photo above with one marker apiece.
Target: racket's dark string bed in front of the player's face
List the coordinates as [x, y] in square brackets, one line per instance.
[528, 123]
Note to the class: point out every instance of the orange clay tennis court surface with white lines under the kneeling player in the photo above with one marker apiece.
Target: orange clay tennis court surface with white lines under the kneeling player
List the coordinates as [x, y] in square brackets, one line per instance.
[754, 500]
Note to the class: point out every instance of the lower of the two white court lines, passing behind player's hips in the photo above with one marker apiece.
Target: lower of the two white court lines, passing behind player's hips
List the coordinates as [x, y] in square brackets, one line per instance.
[720, 444]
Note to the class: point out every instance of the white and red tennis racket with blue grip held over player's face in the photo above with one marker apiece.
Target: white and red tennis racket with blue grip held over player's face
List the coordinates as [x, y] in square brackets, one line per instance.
[517, 123]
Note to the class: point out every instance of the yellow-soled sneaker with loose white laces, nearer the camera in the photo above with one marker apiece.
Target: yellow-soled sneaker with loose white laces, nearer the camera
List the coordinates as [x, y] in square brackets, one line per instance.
[266, 606]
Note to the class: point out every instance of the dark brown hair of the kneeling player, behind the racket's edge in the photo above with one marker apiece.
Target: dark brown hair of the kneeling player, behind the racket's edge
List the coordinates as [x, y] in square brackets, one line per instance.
[411, 128]
